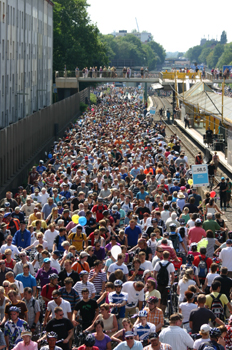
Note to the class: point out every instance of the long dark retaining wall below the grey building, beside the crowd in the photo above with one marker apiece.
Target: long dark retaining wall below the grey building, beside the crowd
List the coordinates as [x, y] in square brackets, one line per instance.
[22, 144]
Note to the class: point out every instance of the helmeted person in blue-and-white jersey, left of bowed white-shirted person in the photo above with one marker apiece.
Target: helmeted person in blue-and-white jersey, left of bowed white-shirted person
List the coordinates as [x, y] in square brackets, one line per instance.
[118, 300]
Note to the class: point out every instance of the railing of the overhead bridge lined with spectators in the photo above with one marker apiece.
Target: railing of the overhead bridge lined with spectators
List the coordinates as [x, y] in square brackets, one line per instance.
[105, 74]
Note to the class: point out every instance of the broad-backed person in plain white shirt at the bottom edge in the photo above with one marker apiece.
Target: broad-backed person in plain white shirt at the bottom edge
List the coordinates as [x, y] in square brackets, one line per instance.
[176, 336]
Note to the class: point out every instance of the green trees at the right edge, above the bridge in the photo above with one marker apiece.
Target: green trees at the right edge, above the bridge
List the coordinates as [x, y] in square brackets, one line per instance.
[212, 53]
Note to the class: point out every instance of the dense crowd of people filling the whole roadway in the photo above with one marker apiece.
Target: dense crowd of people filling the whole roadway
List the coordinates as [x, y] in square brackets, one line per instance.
[107, 230]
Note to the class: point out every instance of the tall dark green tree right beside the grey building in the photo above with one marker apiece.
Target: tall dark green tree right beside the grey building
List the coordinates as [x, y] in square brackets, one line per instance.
[76, 39]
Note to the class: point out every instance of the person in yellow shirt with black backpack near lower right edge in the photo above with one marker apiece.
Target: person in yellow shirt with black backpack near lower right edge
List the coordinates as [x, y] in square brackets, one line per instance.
[217, 301]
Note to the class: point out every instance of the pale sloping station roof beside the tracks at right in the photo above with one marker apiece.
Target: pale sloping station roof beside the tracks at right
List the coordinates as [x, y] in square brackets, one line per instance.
[201, 96]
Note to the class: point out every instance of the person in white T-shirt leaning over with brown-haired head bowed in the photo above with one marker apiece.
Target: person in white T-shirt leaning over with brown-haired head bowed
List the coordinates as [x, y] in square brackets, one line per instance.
[135, 292]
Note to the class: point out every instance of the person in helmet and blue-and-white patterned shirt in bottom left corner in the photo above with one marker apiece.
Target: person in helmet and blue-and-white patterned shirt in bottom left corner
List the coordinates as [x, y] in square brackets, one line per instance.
[14, 327]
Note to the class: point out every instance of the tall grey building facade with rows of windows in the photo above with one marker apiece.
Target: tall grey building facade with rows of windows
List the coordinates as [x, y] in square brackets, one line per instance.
[26, 50]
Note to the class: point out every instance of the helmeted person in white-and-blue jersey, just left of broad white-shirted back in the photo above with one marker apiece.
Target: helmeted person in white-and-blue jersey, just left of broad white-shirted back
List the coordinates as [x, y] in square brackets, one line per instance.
[143, 329]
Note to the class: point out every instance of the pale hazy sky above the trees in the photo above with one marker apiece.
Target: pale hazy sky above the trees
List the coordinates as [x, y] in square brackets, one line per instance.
[177, 25]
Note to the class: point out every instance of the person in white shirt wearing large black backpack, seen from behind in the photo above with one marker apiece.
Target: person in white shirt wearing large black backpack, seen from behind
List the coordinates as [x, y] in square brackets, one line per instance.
[164, 274]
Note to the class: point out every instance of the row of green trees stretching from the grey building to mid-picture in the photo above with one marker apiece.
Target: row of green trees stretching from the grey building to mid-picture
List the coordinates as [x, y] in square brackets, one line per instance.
[78, 42]
